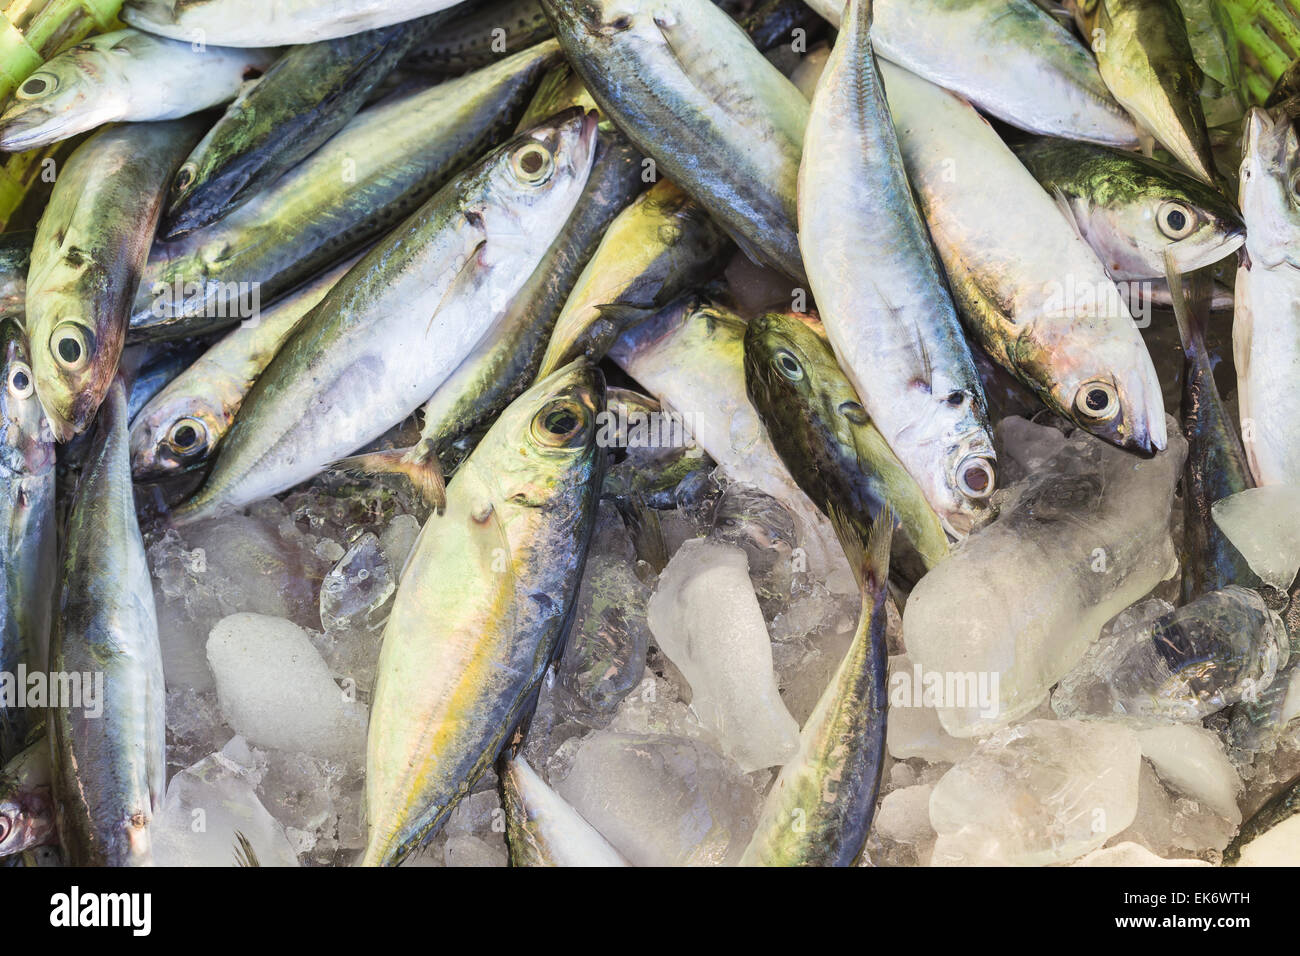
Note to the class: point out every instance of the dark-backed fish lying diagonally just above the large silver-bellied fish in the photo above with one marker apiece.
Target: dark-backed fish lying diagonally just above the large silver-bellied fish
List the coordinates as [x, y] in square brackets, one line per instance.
[365, 181]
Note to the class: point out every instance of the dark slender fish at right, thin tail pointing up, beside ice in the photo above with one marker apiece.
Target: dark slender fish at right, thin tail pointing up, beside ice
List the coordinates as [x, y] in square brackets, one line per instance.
[1216, 465]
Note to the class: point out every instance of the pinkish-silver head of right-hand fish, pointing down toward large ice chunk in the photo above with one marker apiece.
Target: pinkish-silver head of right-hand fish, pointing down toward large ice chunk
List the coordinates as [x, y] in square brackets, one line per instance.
[1103, 382]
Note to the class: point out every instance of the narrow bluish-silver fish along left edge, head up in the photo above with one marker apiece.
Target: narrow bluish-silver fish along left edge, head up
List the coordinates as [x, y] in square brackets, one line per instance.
[28, 520]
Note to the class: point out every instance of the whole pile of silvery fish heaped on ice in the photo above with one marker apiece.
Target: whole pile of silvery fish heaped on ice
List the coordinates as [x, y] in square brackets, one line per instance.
[653, 432]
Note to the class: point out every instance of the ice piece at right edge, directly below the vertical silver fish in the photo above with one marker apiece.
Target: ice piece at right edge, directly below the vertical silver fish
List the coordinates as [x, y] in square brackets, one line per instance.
[1264, 525]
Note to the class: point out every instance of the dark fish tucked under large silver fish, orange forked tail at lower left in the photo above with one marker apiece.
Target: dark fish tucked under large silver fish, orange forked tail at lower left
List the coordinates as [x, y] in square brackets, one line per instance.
[505, 364]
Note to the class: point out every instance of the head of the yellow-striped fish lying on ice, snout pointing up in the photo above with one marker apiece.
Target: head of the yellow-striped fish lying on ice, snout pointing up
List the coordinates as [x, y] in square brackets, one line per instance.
[549, 443]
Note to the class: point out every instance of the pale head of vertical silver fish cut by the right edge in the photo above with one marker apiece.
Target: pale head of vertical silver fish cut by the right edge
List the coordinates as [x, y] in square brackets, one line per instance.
[1271, 188]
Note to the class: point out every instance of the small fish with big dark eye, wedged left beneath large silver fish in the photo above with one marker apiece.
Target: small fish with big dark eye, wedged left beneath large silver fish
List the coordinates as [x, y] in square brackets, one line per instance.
[183, 426]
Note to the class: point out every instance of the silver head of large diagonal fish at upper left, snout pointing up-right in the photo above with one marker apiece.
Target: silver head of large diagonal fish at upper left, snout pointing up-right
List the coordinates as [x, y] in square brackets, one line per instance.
[536, 178]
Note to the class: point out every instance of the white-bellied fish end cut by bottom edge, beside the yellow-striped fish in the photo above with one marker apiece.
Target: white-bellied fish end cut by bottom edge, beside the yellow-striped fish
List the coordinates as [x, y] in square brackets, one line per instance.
[543, 830]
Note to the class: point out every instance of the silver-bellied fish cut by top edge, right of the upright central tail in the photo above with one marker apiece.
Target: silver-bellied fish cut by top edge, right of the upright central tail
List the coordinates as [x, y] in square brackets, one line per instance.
[1009, 58]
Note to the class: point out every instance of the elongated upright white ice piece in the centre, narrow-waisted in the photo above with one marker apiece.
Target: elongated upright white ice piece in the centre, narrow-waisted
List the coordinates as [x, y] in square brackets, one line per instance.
[708, 621]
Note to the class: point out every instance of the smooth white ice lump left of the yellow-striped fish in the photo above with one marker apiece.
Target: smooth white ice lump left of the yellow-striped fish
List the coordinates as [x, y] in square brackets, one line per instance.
[276, 690]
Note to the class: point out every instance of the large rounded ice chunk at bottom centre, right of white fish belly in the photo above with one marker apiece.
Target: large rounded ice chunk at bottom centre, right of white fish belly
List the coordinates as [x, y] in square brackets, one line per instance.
[662, 802]
